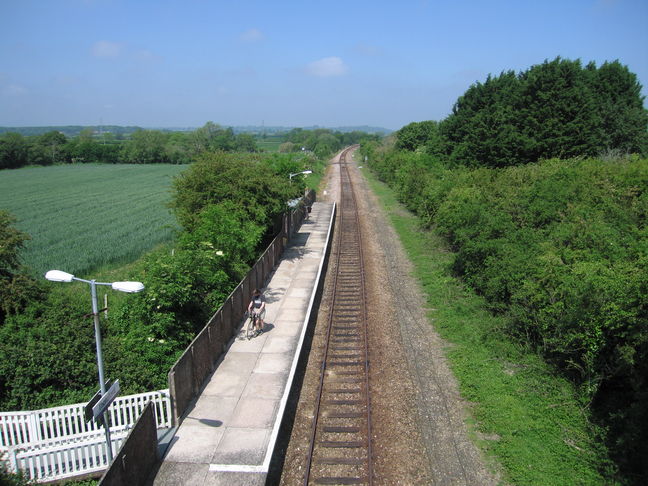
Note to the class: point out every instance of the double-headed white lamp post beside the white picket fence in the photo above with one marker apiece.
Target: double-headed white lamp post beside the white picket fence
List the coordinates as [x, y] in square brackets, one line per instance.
[128, 287]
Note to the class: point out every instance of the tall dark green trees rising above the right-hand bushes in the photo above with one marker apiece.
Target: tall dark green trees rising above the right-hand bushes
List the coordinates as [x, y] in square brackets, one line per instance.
[559, 108]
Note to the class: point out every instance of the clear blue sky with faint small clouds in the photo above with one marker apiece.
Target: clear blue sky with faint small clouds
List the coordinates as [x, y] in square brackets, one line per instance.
[168, 63]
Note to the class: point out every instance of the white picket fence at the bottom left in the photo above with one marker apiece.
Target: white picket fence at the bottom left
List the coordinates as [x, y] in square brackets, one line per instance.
[58, 443]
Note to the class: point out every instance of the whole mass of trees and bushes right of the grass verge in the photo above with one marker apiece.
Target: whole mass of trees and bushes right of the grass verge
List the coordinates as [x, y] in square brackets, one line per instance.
[559, 247]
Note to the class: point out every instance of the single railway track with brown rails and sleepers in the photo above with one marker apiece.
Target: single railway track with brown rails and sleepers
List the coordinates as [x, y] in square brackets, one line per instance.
[340, 440]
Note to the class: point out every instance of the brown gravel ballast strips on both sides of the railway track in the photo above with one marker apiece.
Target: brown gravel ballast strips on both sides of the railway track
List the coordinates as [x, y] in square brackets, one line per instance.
[420, 437]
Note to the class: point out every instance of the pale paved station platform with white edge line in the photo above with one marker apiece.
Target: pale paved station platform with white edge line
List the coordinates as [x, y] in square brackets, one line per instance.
[229, 433]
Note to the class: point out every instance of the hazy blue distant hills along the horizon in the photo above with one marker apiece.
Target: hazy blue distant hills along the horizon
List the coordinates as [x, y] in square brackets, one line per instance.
[119, 131]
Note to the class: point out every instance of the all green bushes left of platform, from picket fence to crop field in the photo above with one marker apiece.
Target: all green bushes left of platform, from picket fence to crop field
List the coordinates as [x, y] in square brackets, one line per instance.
[227, 204]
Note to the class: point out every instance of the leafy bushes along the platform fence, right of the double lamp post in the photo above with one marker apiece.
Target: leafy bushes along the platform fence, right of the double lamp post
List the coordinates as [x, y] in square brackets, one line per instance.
[227, 203]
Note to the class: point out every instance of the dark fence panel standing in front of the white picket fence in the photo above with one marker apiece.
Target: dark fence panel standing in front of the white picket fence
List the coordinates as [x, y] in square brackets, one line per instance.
[138, 454]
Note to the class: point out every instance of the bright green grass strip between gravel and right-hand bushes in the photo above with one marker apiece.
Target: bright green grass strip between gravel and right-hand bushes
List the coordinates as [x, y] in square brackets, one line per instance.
[525, 419]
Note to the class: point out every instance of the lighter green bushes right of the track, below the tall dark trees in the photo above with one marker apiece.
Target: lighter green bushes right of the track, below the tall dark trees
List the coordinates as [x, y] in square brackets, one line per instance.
[561, 248]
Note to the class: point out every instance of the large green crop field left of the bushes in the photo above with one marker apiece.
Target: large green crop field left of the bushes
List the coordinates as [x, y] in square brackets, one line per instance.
[82, 216]
